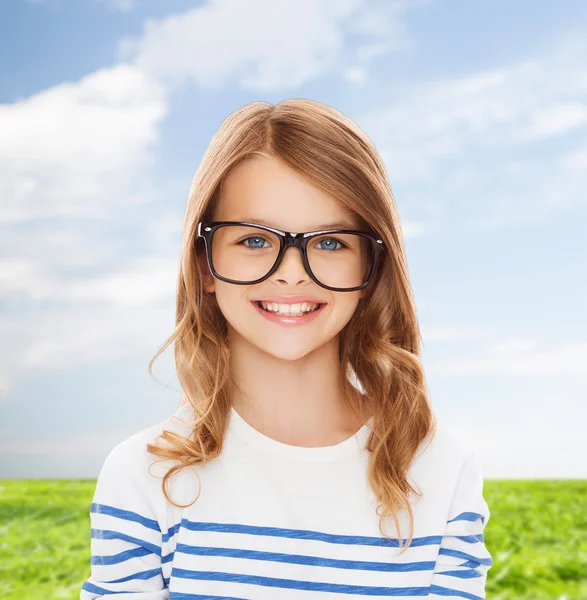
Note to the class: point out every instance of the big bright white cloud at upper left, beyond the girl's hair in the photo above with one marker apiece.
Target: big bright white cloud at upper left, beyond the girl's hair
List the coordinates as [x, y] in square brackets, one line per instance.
[76, 149]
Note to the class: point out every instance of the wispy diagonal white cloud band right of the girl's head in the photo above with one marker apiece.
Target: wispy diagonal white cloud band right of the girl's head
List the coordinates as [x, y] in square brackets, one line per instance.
[501, 107]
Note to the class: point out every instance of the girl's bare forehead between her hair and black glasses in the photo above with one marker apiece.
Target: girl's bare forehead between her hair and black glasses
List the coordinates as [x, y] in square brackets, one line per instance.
[269, 192]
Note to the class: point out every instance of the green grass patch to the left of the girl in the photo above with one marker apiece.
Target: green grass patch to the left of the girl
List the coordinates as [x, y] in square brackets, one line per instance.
[44, 538]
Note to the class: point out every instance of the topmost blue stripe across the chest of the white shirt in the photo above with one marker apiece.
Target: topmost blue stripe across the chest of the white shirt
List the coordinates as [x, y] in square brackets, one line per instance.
[306, 534]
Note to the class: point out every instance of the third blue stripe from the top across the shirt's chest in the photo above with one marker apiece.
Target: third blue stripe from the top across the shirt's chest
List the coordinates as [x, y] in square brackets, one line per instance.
[300, 585]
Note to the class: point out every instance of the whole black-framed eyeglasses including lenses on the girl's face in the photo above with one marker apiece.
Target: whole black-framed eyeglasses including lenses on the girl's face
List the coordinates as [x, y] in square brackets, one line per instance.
[346, 266]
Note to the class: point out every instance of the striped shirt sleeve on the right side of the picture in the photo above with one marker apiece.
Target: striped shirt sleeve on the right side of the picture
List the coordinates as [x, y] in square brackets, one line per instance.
[463, 559]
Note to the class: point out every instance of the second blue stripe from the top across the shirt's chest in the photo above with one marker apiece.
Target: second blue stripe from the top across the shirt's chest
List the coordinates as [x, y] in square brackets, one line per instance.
[300, 559]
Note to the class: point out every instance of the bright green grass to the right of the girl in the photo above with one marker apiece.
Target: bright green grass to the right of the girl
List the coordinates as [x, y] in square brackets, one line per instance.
[537, 534]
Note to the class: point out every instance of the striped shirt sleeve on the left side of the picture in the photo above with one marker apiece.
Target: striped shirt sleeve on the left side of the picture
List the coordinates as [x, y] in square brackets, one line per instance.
[126, 538]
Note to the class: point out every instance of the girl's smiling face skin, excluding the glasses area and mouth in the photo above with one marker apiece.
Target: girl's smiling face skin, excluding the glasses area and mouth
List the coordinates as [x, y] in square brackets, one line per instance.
[263, 188]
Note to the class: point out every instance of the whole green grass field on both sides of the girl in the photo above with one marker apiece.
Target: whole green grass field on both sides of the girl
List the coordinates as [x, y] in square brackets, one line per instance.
[537, 535]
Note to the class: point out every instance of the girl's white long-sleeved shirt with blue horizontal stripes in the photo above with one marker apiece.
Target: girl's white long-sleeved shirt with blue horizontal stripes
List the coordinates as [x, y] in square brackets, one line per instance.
[274, 521]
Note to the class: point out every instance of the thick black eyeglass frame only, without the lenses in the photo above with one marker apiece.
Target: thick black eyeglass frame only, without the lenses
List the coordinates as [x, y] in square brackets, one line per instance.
[206, 229]
